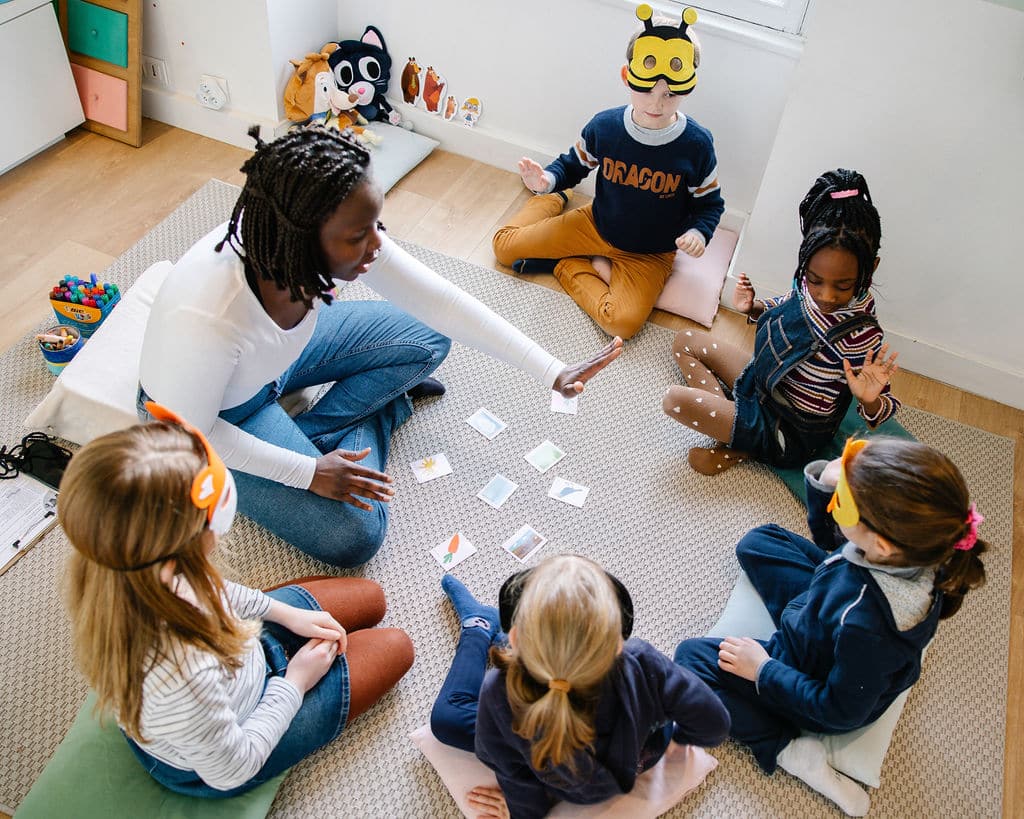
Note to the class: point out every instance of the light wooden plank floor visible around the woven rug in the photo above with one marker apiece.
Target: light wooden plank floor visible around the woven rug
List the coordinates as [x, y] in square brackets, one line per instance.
[80, 204]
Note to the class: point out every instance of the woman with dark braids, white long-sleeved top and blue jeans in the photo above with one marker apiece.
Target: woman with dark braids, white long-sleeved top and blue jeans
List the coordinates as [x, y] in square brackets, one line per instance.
[234, 328]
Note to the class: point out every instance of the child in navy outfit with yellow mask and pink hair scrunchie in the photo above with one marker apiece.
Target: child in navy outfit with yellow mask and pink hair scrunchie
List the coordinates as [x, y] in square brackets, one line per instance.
[852, 624]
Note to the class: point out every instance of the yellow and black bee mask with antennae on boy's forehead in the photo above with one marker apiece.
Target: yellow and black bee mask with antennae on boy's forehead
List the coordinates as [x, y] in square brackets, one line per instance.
[663, 53]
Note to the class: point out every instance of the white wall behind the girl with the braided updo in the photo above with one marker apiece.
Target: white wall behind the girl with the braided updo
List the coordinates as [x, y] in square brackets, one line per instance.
[926, 99]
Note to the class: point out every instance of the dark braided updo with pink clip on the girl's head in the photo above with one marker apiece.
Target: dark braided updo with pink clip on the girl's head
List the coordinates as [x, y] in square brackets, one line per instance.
[838, 213]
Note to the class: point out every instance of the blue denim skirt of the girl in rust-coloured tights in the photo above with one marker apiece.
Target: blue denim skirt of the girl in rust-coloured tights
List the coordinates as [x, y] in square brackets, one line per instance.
[321, 719]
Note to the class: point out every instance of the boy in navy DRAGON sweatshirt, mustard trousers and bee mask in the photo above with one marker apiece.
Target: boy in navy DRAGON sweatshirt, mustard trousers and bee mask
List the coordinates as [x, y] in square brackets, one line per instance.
[657, 189]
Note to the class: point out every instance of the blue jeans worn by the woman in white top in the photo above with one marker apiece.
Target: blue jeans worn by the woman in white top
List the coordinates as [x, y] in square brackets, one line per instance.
[374, 354]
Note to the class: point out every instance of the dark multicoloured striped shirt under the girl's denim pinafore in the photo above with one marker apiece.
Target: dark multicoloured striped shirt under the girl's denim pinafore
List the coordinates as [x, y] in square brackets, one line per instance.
[816, 384]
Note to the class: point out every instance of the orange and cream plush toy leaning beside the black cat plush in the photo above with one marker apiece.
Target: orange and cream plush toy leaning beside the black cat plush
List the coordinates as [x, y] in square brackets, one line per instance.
[312, 95]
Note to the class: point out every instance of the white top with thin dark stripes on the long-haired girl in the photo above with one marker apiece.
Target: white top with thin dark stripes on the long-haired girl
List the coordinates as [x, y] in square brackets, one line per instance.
[198, 716]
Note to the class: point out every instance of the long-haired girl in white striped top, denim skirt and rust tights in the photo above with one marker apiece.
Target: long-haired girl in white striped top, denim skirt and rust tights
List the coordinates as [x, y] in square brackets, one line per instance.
[211, 704]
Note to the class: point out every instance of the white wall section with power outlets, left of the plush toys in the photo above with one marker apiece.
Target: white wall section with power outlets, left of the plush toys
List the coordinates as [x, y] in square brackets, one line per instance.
[247, 44]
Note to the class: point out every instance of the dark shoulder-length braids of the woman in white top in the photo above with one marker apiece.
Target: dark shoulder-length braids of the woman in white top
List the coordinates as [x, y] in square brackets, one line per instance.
[293, 185]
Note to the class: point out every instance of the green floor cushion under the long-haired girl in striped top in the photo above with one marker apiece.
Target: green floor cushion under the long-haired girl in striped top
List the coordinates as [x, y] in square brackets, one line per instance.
[95, 775]
